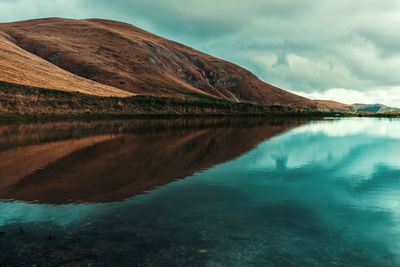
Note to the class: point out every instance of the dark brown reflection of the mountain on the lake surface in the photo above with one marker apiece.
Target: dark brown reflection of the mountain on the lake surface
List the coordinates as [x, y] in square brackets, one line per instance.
[109, 161]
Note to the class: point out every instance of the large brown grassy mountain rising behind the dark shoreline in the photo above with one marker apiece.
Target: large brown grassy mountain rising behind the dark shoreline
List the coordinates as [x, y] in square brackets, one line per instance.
[125, 57]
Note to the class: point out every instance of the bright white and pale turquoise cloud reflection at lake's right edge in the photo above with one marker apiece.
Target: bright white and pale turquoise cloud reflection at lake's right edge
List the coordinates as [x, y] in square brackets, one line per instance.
[355, 153]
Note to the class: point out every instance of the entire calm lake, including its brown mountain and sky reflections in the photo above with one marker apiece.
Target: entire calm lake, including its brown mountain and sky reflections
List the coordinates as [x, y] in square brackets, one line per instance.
[201, 192]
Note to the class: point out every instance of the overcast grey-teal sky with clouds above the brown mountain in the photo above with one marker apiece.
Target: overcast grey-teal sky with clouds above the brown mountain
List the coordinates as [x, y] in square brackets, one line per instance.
[334, 49]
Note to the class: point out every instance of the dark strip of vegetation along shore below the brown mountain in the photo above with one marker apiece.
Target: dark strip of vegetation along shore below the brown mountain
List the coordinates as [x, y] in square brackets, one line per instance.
[24, 102]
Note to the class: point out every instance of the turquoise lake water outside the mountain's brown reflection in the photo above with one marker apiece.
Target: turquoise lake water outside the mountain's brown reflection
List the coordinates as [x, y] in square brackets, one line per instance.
[315, 193]
